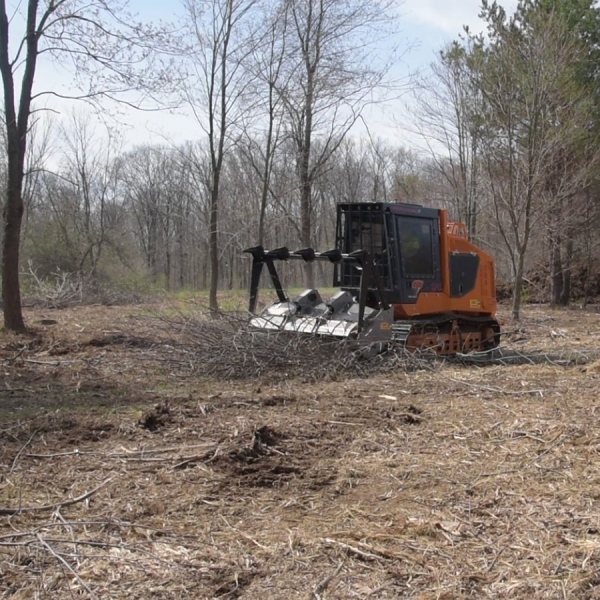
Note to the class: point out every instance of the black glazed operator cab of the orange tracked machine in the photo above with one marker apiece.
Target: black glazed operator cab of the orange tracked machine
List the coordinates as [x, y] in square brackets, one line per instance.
[402, 239]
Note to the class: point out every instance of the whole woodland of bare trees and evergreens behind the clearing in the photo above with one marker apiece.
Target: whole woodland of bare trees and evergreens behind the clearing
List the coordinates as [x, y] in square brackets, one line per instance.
[505, 123]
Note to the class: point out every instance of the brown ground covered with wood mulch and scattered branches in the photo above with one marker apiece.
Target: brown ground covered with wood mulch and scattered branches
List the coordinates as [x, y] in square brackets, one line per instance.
[145, 455]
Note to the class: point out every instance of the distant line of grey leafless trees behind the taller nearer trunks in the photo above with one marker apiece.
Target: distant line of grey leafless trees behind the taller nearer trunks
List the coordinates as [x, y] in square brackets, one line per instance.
[109, 214]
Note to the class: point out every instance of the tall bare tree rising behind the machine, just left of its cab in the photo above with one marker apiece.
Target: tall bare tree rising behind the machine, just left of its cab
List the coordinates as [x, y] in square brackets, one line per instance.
[334, 73]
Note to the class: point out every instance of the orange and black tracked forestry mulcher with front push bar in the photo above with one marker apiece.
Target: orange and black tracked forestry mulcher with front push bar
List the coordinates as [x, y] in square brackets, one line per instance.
[408, 276]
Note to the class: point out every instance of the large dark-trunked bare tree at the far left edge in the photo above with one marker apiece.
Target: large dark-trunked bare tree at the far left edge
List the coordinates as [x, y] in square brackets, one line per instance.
[106, 48]
